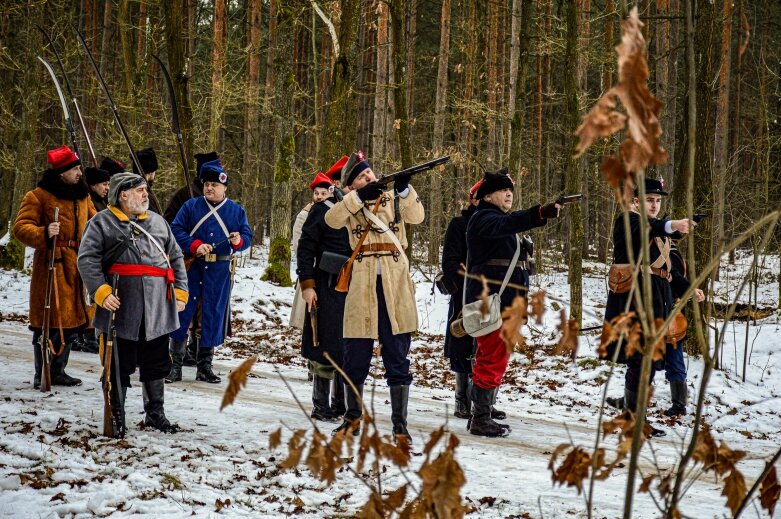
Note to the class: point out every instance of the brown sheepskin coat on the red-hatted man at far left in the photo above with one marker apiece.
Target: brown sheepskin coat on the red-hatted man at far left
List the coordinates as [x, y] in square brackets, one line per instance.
[35, 214]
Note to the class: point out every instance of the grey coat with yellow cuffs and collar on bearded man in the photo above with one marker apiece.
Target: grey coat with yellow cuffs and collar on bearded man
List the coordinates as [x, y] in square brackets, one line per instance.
[141, 297]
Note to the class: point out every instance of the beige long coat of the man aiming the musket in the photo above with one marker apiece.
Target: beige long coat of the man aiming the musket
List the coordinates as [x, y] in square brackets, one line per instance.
[360, 309]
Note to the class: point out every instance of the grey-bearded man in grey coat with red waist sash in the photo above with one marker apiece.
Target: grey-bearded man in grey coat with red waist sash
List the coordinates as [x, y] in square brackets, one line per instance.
[138, 245]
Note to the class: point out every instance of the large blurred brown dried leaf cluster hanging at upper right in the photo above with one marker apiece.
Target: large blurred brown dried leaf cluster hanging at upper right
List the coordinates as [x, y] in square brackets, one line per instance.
[641, 146]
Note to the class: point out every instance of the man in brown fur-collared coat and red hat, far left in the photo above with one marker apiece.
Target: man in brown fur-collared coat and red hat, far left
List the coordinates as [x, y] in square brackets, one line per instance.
[62, 186]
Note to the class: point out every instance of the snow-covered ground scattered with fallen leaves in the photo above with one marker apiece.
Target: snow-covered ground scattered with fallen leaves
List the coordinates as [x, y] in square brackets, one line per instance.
[53, 461]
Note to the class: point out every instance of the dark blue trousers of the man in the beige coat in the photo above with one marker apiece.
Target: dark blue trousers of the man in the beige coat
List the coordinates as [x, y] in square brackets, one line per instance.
[393, 349]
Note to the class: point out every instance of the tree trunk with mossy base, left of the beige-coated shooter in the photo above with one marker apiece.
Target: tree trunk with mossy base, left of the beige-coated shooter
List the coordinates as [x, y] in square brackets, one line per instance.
[278, 270]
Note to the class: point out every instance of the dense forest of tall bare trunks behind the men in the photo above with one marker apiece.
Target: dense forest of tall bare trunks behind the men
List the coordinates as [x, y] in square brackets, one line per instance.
[282, 89]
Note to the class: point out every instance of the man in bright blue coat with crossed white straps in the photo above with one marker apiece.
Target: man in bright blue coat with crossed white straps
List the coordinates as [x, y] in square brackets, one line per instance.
[212, 228]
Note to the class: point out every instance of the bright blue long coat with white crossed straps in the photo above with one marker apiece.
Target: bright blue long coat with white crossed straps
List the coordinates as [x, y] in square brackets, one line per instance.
[209, 282]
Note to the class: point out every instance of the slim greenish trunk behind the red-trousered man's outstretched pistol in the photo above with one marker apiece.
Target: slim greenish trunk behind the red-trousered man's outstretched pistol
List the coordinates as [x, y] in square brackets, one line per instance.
[573, 180]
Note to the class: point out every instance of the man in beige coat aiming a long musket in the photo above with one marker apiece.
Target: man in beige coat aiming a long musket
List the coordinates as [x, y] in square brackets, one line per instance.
[380, 301]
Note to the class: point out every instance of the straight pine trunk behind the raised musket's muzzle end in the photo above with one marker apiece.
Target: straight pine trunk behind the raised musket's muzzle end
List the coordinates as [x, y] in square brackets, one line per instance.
[440, 106]
